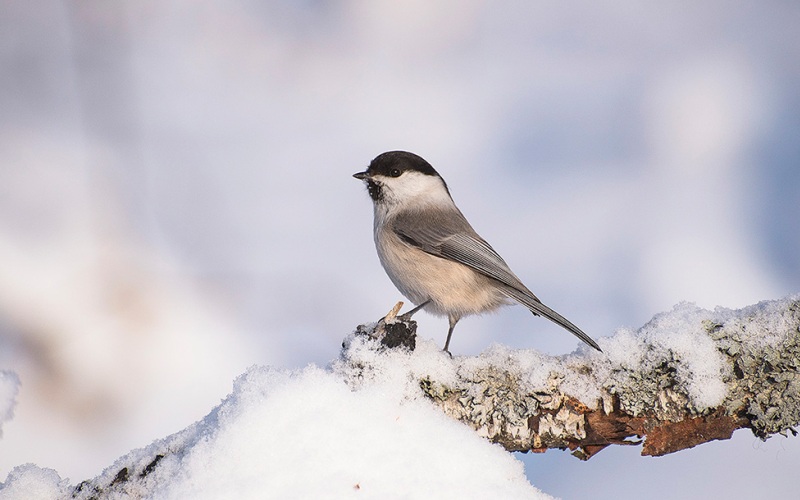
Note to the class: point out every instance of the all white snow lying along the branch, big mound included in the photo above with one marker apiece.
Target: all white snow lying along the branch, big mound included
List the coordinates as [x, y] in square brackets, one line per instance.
[361, 427]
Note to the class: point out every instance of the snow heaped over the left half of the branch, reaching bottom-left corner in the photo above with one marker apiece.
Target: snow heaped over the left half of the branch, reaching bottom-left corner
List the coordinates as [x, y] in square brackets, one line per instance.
[314, 433]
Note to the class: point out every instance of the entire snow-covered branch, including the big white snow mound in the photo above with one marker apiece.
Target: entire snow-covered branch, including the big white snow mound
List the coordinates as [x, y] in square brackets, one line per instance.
[687, 377]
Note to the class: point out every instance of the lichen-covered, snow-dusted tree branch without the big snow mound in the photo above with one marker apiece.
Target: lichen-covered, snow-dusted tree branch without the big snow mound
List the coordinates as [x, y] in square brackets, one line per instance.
[687, 377]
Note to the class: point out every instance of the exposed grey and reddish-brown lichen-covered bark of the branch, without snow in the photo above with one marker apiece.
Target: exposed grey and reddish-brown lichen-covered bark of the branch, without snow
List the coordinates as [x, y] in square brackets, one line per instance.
[650, 404]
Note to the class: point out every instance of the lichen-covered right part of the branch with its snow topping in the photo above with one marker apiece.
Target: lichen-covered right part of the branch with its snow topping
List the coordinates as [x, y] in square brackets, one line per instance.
[687, 377]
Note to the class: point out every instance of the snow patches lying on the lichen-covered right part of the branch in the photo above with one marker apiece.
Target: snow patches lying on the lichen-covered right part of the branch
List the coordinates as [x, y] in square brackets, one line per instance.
[677, 337]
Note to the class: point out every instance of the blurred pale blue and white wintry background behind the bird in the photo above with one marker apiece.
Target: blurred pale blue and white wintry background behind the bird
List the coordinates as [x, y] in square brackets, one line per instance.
[176, 199]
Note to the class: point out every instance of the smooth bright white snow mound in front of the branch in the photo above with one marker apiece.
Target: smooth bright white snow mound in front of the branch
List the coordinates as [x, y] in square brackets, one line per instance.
[324, 440]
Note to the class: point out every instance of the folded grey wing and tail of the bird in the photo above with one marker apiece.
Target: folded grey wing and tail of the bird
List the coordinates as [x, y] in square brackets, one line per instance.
[451, 237]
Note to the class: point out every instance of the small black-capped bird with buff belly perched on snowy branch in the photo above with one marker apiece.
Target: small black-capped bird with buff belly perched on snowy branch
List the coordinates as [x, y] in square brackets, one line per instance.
[430, 251]
